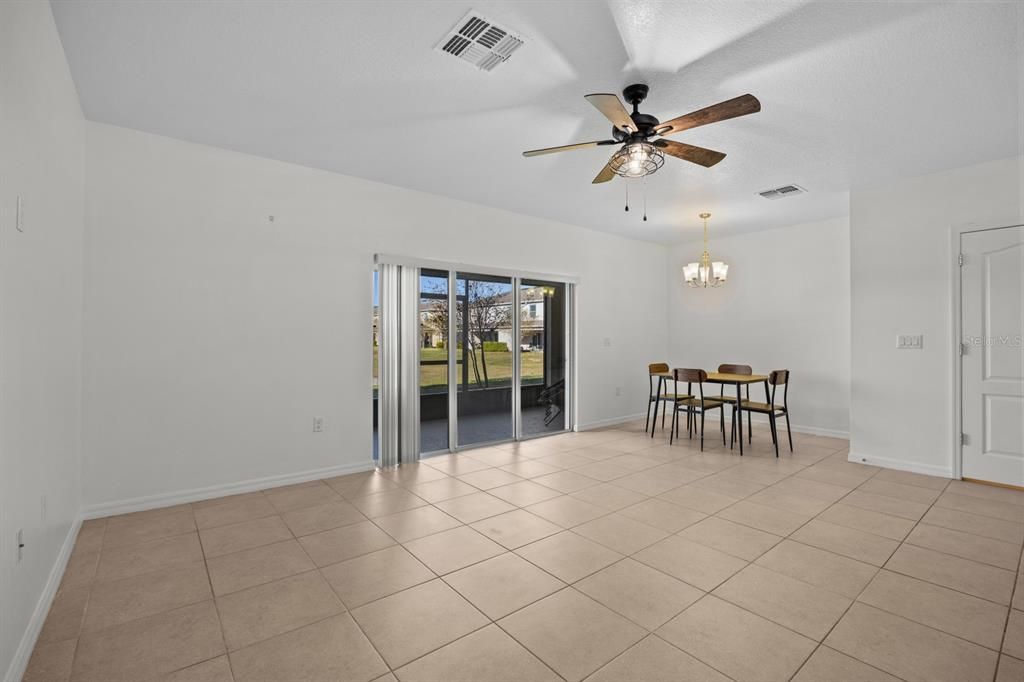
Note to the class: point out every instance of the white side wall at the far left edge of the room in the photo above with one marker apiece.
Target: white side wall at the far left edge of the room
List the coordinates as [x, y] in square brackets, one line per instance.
[41, 147]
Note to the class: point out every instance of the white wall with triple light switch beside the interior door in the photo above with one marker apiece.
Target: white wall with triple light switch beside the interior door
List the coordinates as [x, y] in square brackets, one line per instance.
[902, 251]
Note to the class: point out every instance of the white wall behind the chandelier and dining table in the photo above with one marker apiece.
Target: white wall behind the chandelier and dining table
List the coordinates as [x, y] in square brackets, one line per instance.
[786, 306]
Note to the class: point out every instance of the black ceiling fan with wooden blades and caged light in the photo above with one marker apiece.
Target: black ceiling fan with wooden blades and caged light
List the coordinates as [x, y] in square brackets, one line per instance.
[641, 155]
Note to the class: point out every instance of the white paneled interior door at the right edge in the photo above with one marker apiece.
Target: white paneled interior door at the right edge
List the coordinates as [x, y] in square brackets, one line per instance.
[993, 324]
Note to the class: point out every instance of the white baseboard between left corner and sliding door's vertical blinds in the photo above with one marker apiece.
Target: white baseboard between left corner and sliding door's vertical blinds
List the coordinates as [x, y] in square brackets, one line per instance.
[195, 495]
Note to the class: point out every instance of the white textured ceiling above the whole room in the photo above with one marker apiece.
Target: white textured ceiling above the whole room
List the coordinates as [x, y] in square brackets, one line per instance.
[854, 95]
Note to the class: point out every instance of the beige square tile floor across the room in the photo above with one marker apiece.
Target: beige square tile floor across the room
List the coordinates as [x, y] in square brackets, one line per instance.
[605, 556]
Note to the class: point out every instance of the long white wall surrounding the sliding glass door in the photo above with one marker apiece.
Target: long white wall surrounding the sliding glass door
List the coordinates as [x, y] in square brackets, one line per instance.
[214, 336]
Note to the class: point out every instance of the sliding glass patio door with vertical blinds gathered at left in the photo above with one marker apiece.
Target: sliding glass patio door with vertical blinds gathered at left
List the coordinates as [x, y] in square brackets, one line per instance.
[466, 359]
